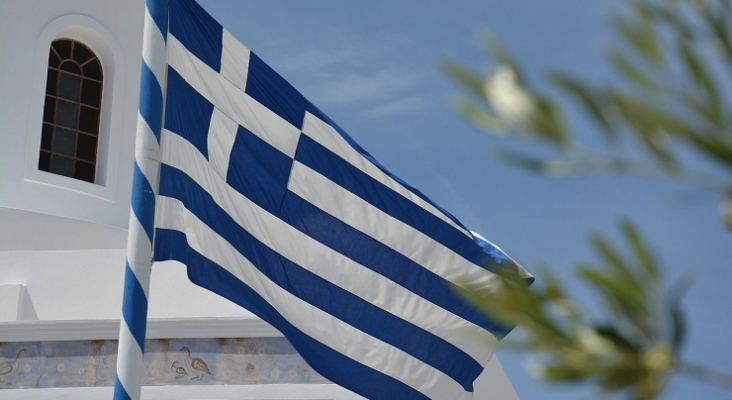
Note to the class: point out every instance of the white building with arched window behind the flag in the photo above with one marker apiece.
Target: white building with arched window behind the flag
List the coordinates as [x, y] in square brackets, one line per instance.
[72, 67]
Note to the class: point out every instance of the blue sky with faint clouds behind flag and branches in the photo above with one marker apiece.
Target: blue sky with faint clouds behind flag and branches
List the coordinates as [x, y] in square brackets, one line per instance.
[373, 68]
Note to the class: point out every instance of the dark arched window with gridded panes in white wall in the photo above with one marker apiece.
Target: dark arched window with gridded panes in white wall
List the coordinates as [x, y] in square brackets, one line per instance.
[72, 111]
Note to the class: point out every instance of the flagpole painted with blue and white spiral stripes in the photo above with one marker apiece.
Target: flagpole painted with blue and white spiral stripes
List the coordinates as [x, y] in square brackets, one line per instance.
[131, 345]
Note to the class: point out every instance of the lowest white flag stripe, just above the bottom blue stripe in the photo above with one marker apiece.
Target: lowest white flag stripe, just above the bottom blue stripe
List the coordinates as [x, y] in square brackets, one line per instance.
[312, 321]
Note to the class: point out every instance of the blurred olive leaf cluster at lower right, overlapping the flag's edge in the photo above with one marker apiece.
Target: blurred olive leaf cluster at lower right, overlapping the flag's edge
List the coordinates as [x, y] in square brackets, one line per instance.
[634, 347]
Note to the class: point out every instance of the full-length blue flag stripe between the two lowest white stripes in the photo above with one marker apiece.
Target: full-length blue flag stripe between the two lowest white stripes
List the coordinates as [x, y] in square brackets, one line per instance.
[312, 288]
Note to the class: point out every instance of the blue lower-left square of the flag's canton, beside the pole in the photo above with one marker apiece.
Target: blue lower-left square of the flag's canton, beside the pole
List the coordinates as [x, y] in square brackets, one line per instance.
[187, 113]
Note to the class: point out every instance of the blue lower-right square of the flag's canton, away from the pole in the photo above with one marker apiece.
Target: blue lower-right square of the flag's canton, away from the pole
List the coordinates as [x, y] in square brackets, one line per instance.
[258, 171]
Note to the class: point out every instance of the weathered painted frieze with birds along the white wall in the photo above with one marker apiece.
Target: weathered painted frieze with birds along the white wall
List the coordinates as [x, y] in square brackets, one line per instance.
[216, 361]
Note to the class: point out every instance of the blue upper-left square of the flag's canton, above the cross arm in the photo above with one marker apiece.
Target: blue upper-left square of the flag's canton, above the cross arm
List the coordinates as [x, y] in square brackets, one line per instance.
[198, 31]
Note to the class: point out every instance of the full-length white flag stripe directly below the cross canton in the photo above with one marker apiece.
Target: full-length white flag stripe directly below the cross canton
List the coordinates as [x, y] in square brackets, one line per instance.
[325, 262]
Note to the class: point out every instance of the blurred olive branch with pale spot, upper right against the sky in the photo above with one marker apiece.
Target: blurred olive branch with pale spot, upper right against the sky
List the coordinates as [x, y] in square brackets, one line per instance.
[674, 58]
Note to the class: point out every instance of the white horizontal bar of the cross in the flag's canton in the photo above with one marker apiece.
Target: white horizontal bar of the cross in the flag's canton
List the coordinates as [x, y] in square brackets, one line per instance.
[232, 101]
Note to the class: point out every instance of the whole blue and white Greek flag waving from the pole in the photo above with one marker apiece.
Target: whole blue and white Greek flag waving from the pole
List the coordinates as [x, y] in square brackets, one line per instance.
[274, 207]
